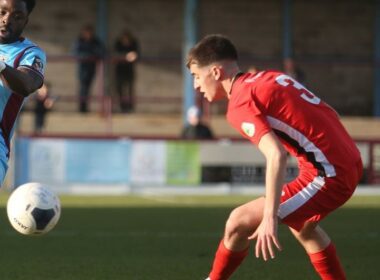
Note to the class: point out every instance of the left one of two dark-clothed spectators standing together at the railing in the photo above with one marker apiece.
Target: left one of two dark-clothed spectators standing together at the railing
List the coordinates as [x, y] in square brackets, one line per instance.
[89, 49]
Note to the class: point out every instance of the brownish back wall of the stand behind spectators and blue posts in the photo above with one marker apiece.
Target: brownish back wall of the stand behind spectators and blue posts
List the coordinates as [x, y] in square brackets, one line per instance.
[333, 43]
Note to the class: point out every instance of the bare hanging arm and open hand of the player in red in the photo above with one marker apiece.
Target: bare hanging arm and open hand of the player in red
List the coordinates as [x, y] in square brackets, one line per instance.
[266, 233]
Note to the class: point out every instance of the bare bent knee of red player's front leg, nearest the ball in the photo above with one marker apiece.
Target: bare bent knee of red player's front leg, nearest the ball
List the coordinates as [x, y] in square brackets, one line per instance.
[238, 224]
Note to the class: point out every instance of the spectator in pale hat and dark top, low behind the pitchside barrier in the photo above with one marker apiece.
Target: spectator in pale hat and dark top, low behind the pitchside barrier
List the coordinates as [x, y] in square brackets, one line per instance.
[195, 129]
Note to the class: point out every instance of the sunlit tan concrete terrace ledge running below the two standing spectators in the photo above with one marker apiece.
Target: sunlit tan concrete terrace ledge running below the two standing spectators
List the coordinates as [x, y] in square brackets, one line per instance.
[159, 125]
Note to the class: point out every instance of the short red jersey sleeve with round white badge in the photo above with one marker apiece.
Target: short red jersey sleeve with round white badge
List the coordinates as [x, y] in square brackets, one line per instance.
[249, 121]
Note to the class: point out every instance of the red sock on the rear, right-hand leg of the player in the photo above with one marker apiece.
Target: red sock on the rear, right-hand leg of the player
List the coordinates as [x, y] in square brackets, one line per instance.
[327, 264]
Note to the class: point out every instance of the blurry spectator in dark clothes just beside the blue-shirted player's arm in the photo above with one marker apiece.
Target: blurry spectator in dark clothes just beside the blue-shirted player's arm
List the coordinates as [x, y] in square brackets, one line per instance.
[44, 102]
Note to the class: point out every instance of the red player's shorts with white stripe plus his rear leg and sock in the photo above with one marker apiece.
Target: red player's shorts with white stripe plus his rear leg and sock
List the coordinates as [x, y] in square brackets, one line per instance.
[307, 201]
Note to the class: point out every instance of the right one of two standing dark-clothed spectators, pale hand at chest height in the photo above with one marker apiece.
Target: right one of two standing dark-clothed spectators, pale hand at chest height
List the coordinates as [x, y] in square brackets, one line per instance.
[126, 47]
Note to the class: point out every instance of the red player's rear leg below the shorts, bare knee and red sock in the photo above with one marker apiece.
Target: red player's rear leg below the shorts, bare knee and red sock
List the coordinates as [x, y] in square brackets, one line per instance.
[321, 251]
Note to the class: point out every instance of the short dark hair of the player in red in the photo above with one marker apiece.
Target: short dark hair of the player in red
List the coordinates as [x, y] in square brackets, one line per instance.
[210, 49]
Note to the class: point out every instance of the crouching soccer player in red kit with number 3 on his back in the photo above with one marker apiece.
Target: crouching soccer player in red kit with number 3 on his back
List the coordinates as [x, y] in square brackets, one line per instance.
[279, 116]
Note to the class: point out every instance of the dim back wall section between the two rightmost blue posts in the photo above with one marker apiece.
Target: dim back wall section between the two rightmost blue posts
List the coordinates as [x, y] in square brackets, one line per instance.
[334, 43]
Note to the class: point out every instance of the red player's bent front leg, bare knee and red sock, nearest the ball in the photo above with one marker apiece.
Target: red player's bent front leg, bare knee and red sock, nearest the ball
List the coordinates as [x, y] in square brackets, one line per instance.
[233, 248]
